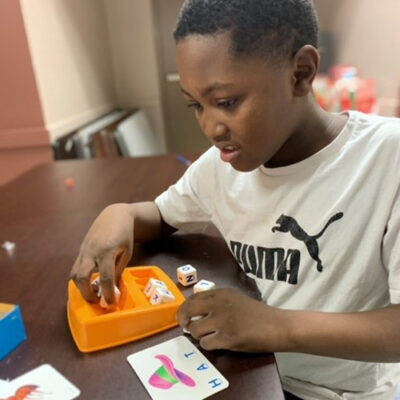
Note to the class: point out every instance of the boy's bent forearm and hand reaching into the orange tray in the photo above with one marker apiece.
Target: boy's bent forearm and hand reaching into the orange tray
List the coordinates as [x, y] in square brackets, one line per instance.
[108, 245]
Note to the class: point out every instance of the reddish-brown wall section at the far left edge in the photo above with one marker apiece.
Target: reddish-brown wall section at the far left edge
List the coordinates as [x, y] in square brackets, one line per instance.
[24, 140]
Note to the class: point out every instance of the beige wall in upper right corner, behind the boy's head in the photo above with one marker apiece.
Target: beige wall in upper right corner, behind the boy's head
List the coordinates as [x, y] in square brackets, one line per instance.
[368, 36]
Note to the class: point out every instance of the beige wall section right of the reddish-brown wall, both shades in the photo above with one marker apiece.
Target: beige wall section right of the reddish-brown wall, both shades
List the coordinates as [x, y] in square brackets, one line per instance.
[91, 56]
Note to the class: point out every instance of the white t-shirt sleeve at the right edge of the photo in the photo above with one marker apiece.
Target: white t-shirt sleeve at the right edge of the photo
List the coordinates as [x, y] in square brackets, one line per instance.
[391, 250]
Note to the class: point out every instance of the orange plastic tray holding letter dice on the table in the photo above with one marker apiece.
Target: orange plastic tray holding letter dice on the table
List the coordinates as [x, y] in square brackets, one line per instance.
[94, 328]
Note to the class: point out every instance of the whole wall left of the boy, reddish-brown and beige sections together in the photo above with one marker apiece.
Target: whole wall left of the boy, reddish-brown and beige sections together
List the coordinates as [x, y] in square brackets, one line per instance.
[65, 63]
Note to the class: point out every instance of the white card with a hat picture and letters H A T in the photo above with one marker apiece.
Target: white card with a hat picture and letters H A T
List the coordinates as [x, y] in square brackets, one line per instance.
[177, 370]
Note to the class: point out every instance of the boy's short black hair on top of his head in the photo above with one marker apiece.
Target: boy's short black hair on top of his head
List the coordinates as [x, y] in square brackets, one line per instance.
[273, 29]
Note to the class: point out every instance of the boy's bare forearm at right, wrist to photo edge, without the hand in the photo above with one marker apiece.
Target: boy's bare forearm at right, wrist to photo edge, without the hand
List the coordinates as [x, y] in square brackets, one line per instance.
[366, 336]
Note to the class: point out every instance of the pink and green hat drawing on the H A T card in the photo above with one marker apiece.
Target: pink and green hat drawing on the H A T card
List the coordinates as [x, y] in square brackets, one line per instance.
[167, 375]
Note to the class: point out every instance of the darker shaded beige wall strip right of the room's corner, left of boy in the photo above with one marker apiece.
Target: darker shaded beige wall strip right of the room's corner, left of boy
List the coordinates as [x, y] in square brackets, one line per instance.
[134, 58]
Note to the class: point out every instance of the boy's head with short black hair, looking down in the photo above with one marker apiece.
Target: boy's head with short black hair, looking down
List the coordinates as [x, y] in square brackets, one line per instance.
[246, 68]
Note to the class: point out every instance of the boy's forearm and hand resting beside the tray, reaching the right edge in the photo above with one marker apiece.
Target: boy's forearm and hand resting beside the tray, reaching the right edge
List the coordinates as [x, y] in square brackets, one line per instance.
[234, 321]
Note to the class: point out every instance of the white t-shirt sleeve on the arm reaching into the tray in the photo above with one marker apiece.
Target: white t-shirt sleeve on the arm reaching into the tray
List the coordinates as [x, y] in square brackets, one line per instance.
[188, 204]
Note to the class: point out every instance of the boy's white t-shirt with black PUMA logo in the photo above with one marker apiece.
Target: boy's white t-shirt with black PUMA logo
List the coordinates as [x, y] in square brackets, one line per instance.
[321, 234]
